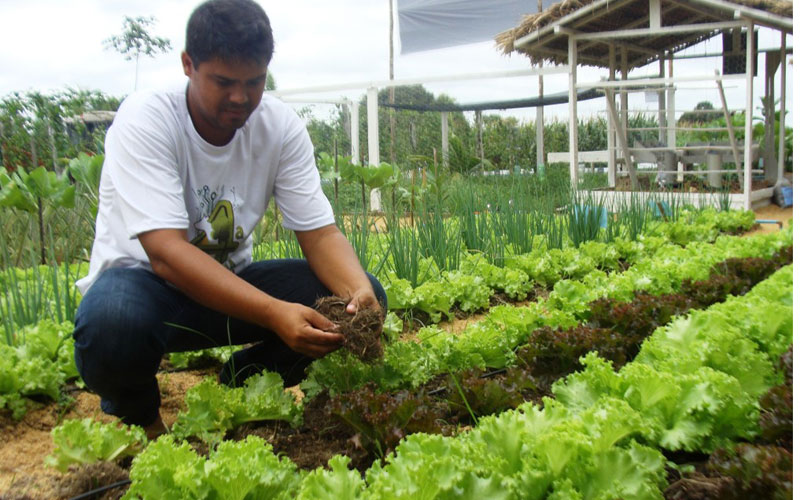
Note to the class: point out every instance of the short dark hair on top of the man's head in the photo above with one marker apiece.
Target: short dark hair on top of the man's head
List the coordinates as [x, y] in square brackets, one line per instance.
[231, 30]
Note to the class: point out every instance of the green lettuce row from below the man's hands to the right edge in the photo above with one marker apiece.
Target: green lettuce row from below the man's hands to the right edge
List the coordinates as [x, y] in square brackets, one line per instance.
[491, 341]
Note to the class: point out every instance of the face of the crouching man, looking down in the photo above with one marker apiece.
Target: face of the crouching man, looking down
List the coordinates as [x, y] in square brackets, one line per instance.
[222, 95]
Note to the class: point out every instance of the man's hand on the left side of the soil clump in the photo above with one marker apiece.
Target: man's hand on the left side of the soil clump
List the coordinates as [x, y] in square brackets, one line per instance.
[305, 330]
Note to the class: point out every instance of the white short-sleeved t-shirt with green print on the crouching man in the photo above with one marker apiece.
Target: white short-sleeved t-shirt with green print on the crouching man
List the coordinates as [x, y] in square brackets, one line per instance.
[159, 173]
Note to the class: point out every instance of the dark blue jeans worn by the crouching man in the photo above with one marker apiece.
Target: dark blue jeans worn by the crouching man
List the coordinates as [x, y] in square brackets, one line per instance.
[129, 318]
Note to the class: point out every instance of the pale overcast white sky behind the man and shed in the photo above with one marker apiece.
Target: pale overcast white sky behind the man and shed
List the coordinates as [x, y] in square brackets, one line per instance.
[49, 45]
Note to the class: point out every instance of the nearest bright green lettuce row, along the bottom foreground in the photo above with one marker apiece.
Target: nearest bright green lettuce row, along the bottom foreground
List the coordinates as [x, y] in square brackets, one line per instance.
[694, 386]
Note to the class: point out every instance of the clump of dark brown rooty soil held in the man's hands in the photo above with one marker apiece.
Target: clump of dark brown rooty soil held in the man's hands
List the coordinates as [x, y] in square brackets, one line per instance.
[362, 330]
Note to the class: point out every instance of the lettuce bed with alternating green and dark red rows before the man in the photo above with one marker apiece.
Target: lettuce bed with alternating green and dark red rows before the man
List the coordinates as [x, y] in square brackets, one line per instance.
[503, 409]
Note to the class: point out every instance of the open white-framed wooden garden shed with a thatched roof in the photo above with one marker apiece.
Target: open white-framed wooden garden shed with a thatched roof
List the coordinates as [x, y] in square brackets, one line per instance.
[621, 35]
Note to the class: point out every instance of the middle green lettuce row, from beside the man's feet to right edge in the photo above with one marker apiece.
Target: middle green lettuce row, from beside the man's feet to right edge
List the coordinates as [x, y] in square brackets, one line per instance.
[490, 343]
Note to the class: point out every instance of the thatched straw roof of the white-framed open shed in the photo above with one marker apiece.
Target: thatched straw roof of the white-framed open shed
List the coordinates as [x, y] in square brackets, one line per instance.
[542, 43]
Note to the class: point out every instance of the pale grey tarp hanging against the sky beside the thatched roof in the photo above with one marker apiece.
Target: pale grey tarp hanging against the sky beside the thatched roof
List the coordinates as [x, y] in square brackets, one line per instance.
[433, 24]
